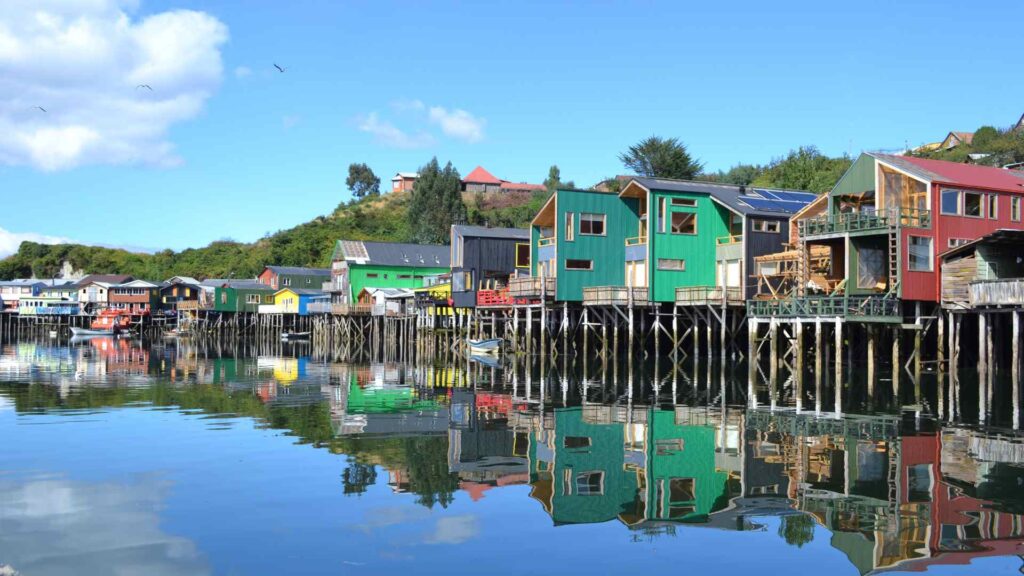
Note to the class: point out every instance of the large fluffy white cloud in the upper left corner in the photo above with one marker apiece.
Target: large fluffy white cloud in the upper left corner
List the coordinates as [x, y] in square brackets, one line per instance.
[82, 61]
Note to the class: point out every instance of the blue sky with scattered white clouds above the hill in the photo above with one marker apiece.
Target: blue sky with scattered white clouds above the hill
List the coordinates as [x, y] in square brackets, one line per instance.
[226, 147]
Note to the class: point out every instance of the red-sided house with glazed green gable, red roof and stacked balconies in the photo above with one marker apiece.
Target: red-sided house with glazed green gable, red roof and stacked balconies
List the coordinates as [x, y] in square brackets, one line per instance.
[888, 221]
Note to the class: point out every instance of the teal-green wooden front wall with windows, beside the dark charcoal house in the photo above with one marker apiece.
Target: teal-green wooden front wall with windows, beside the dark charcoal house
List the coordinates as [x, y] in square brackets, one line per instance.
[607, 253]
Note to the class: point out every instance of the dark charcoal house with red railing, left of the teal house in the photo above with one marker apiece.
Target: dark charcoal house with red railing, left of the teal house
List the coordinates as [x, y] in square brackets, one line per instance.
[483, 262]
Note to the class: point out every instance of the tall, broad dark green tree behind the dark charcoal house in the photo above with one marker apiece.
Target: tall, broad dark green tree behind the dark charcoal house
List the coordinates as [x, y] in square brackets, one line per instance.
[437, 204]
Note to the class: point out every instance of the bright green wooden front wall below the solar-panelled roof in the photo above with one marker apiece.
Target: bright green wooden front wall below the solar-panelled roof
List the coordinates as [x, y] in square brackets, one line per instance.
[698, 251]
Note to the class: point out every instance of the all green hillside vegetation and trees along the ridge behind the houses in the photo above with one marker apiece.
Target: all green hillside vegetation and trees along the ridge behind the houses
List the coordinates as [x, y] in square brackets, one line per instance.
[398, 217]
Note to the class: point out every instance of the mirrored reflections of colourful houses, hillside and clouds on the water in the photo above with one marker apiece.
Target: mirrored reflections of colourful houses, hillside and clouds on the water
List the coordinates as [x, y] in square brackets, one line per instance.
[649, 456]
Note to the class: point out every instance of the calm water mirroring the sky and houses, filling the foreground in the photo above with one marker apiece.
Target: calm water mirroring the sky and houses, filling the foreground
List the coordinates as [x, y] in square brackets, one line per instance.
[123, 459]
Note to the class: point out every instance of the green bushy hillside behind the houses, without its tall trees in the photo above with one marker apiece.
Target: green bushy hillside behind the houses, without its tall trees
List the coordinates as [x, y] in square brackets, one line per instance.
[382, 219]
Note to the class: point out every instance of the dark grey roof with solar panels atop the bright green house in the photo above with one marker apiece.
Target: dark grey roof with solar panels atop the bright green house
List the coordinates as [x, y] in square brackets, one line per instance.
[746, 200]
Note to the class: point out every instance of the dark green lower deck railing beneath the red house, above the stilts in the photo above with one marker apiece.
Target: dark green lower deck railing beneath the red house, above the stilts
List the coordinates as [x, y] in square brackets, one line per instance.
[872, 308]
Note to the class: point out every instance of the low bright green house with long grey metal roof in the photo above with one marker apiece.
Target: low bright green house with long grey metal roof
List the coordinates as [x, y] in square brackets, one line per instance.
[358, 265]
